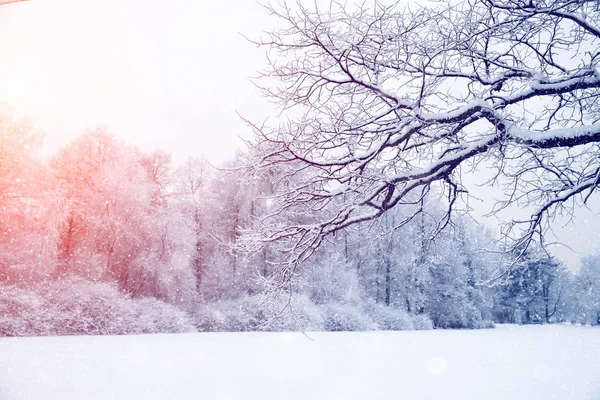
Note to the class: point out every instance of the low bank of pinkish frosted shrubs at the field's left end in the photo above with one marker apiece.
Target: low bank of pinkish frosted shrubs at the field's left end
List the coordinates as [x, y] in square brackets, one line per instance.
[80, 307]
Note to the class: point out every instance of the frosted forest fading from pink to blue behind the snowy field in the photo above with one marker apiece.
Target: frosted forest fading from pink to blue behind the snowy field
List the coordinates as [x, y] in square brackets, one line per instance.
[102, 238]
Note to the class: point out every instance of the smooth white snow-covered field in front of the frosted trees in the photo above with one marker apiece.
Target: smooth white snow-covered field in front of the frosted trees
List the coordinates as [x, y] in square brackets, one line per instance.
[510, 362]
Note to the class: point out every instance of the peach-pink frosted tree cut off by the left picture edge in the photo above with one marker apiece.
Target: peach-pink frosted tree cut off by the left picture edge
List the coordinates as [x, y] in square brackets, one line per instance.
[30, 210]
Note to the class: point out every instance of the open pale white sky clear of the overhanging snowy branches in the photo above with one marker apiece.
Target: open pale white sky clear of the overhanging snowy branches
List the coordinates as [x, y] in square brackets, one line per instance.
[169, 75]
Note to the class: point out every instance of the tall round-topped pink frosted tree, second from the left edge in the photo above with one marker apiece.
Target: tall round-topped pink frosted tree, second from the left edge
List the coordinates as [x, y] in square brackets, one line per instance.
[107, 194]
